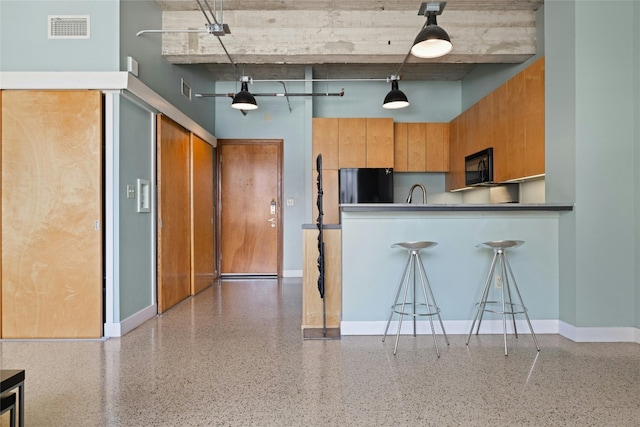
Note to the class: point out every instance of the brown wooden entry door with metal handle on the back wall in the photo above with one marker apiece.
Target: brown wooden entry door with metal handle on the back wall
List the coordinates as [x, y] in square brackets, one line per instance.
[250, 181]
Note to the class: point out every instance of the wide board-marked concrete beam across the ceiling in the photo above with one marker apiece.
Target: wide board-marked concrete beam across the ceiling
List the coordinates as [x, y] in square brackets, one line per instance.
[344, 39]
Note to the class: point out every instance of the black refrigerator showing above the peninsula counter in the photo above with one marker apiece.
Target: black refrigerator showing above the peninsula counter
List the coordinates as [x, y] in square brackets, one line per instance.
[366, 185]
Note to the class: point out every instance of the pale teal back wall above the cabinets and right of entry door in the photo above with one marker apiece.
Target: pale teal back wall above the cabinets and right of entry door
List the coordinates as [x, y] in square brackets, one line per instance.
[430, 101]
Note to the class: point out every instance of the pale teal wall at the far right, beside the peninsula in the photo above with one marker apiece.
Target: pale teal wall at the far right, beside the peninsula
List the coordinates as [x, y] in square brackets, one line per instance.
[592, 135]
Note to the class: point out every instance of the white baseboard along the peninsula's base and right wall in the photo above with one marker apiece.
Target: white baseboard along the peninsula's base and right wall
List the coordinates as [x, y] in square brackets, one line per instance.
[461, 327]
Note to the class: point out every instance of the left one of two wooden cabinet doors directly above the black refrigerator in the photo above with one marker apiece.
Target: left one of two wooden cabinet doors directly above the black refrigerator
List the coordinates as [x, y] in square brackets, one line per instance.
[352, 150]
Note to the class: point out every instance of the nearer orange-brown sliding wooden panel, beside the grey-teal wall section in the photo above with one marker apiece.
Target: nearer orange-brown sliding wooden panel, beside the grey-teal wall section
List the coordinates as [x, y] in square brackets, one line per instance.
[174, 230]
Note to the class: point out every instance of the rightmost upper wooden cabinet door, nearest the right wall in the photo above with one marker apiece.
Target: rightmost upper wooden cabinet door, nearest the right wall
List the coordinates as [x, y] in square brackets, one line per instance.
[534, 118]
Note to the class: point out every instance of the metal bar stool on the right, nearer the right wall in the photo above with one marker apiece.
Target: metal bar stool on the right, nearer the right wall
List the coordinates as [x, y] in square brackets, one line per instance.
[504, 279]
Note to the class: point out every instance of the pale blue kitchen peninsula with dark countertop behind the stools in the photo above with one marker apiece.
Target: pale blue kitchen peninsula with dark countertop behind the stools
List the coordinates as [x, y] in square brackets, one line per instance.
[456, 267]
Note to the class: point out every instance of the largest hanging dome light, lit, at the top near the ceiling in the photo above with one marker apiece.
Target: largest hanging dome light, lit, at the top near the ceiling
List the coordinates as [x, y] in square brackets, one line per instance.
[432, 41]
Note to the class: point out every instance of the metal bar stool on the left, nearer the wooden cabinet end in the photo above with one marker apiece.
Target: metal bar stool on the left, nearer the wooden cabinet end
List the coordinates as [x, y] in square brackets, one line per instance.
[410, 304]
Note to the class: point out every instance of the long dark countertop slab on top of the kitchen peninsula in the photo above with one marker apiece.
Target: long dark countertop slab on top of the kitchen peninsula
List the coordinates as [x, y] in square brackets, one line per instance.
[403, 207]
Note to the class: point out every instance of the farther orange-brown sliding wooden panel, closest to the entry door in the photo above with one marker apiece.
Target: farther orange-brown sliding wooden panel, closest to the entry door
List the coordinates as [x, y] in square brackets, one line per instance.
[202, 208]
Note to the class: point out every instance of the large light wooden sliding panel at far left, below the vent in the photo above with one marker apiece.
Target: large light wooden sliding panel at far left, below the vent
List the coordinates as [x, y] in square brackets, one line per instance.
[52, 214]
